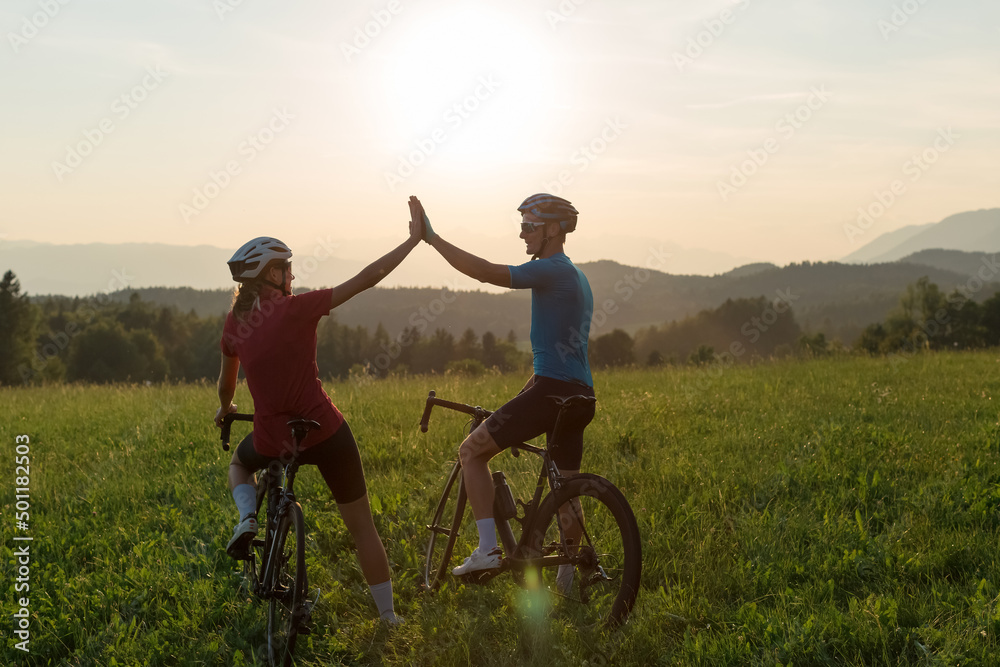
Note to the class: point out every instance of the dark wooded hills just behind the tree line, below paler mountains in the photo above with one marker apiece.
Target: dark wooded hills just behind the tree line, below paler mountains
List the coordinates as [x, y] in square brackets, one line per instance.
[839, 300]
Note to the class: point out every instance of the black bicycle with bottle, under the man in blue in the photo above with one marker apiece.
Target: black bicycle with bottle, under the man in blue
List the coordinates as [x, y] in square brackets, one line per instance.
[606, 556]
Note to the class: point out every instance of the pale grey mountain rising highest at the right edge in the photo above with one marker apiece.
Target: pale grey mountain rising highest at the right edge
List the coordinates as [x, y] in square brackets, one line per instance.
[972, 231]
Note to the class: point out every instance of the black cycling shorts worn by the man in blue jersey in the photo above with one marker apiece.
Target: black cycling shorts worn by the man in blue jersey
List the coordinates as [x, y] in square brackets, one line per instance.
[531, 413]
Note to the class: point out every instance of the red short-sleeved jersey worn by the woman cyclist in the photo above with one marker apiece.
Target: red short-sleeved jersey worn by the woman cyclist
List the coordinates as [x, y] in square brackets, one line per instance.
[276, 344]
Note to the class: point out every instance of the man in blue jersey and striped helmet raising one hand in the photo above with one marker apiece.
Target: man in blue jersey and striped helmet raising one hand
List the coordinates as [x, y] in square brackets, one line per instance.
[561, 309]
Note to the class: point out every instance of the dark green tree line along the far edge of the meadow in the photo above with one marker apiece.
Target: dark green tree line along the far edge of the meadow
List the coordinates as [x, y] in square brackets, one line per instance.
[99, 339]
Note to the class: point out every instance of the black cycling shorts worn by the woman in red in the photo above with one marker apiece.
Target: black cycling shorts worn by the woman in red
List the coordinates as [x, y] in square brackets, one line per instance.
[337, 458]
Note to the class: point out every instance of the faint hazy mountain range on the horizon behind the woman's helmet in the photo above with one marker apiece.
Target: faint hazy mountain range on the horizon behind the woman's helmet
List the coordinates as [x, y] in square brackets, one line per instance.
[97, 268]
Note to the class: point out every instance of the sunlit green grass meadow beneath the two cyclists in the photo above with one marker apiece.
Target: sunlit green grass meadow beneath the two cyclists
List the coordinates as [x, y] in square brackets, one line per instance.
[842, 511]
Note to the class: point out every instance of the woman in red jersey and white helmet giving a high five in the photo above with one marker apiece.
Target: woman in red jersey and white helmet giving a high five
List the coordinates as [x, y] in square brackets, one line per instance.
[272, 334]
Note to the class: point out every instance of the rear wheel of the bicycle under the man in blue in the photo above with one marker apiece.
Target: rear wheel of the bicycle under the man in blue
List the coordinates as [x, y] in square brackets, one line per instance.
[606, 554]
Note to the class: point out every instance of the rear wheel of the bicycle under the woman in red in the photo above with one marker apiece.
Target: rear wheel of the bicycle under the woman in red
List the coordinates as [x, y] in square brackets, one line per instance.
[287, 597]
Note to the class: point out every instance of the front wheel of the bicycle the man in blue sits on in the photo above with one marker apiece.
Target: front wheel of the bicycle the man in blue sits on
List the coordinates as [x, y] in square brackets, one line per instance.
[446, 531]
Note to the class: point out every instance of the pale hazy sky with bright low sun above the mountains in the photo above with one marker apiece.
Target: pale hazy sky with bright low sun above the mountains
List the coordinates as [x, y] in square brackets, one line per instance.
[758, 130]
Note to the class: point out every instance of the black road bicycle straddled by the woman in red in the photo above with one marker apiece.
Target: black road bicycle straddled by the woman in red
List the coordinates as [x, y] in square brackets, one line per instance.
[275, 566]
